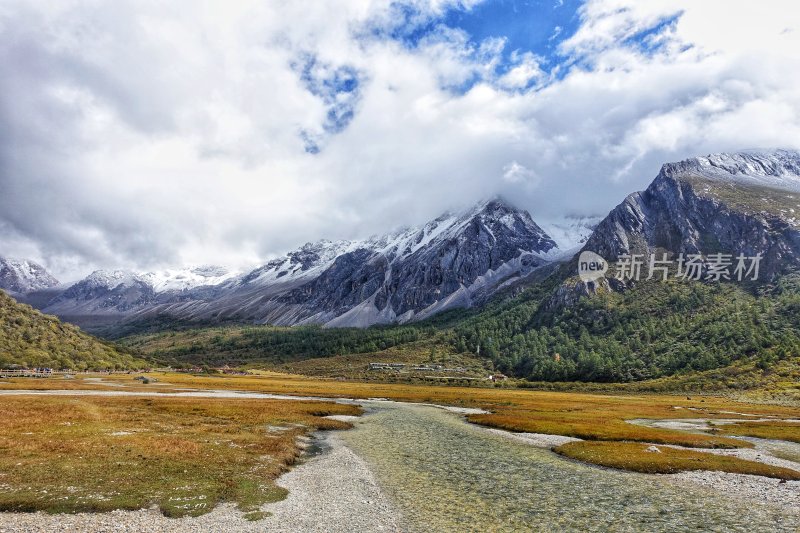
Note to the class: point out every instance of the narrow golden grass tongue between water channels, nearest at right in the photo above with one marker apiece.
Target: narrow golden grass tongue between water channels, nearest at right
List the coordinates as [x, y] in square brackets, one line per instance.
[636, 457]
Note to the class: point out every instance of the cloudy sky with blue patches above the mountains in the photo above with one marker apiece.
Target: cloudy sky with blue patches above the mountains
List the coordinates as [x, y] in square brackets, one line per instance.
[140, 135]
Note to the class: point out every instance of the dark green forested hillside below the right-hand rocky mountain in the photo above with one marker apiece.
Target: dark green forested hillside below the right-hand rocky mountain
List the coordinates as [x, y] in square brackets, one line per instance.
[656, 329]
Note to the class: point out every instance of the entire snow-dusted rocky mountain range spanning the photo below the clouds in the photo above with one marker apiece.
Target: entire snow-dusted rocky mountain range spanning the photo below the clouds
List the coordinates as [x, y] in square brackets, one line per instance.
[744, 202]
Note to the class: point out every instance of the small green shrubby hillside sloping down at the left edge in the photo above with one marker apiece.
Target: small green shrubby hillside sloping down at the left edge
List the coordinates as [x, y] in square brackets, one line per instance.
[29, 338]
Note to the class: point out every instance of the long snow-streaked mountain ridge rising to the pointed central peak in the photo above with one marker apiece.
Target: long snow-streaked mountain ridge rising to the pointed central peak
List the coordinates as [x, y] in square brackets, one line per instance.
[455, 260]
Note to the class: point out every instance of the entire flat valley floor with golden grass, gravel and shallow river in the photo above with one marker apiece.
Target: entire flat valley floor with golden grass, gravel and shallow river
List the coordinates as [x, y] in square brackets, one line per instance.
[405, 466]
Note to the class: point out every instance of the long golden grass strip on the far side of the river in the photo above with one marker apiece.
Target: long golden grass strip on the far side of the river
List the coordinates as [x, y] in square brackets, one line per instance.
[594, 417]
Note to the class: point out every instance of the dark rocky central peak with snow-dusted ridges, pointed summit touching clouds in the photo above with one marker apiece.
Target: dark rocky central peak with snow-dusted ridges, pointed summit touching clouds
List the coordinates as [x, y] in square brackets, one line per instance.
[453, 255]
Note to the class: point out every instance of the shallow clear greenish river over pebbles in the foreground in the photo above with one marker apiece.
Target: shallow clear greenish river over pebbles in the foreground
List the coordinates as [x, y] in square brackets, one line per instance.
[446, 475]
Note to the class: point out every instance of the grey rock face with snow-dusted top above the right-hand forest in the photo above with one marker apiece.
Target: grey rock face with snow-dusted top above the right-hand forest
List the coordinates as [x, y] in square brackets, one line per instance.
[746, 203]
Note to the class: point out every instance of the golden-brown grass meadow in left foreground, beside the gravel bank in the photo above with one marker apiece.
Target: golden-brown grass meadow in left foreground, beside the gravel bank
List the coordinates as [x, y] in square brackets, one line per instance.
[185, 455]
